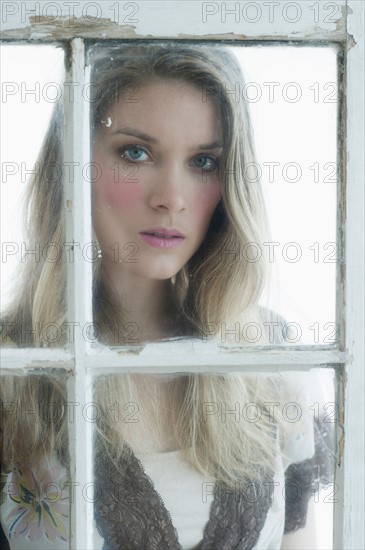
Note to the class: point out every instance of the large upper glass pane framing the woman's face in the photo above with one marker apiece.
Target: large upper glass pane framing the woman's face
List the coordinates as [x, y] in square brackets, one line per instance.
[184, 244]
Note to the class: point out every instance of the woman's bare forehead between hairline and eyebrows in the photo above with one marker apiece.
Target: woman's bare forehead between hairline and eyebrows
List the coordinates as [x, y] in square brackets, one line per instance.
[164, 106]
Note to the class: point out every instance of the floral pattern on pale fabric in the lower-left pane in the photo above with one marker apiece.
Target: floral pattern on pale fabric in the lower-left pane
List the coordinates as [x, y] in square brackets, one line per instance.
[41, 498]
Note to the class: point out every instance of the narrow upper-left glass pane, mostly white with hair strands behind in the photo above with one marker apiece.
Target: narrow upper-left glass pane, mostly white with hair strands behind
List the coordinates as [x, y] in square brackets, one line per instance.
[32, 243]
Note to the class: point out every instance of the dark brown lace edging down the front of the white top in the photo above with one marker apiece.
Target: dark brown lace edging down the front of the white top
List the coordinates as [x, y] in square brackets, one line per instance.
[131, 515]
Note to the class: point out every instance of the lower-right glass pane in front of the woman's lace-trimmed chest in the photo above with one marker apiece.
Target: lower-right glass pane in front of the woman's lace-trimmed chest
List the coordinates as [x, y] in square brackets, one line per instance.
[202, 460]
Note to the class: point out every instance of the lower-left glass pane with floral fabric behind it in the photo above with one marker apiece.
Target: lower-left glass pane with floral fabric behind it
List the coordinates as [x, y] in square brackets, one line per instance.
[36, 487]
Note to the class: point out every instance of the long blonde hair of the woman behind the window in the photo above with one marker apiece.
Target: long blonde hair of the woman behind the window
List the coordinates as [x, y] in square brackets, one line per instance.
[215, 288]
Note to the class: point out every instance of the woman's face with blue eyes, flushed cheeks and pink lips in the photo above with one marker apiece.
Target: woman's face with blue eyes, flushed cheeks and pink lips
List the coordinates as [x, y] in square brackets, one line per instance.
[158, 157]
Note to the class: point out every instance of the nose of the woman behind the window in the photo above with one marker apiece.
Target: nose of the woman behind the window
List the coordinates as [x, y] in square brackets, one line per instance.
[168, 189]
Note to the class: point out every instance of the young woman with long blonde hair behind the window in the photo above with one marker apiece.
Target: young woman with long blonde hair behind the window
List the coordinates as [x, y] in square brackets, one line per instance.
[171, 145]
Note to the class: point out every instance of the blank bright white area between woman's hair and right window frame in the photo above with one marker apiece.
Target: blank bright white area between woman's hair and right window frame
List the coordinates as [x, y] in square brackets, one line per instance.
[294, 107]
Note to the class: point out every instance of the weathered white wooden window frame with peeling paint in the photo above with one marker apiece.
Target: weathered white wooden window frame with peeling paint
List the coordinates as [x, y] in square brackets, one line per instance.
[340, 21]
